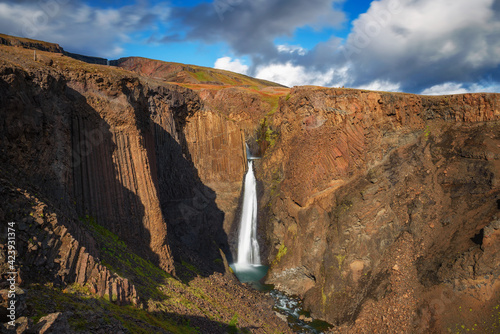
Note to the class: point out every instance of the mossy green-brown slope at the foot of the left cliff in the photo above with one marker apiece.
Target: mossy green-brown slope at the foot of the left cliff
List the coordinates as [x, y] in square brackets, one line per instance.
[187, 303]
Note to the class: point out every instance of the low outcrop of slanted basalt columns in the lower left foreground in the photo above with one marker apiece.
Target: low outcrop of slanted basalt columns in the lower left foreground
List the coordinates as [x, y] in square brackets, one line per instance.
[51, 248]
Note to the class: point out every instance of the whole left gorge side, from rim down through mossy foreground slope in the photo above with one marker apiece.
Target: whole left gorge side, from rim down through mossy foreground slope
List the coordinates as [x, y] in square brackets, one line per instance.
[108, 173]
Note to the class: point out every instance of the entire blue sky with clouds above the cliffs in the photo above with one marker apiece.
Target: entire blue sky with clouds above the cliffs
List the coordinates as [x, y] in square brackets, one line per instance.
[414, 46]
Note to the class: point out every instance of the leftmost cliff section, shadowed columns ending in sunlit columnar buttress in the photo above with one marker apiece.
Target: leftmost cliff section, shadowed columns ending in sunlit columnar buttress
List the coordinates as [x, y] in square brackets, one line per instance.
[85, 150]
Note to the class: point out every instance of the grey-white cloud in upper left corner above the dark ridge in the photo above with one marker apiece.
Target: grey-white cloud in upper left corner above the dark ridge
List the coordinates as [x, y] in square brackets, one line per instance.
[77, 26]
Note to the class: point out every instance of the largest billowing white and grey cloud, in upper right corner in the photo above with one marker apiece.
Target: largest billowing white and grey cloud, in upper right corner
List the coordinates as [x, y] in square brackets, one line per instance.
[425, 43]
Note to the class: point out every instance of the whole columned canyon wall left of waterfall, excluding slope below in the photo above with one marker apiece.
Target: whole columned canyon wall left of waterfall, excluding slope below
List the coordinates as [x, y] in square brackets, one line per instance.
[140, 157]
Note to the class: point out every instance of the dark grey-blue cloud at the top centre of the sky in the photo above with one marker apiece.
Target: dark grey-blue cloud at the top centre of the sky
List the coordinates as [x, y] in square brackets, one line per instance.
[250, 27]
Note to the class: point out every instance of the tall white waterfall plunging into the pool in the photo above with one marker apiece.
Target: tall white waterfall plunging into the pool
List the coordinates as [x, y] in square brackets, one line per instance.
[248, 246]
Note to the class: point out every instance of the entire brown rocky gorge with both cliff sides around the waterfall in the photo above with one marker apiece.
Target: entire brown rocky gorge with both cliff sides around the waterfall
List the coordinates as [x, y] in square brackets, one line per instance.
[380, 210]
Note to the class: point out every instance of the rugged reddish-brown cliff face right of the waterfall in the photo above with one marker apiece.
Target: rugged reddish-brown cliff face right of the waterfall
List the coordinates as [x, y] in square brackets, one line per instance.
[379, 204]
